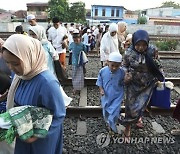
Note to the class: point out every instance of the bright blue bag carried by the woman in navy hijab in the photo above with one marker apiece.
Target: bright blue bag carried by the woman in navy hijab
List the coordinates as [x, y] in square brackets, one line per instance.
[161, 97]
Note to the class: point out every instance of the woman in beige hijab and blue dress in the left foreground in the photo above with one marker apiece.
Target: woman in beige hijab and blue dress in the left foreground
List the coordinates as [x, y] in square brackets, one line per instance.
[34, 85]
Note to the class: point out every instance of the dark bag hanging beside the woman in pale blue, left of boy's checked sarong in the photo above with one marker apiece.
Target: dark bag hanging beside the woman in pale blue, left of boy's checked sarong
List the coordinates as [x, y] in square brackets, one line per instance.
[60, 72]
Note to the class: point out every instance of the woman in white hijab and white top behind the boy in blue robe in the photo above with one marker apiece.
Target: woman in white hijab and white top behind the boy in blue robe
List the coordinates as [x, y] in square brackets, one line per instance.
[109, 43]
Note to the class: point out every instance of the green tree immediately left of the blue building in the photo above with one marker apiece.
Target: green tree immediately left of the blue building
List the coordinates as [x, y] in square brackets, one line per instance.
[78, 12]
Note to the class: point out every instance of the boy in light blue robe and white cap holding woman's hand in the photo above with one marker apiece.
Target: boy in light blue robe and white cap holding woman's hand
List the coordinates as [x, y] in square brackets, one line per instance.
[111, 85]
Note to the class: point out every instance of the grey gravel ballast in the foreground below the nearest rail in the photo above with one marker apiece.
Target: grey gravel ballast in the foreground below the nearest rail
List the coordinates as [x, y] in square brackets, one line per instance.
[75, 142]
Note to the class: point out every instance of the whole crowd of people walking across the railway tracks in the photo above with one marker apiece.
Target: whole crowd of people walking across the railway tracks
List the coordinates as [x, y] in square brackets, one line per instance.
[130, 71]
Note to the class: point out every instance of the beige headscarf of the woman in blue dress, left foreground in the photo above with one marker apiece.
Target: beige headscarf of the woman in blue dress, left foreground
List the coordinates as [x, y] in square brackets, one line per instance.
[32, 55]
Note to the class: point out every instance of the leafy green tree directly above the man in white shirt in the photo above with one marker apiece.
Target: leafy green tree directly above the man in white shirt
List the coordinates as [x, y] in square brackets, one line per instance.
[59, 8]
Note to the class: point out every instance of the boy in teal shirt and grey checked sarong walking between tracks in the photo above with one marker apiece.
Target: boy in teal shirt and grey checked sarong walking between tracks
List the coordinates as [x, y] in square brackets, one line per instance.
[77, 69]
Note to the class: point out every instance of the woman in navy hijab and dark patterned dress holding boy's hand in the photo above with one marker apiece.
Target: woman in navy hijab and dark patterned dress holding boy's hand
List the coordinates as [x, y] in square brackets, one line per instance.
[141, 64]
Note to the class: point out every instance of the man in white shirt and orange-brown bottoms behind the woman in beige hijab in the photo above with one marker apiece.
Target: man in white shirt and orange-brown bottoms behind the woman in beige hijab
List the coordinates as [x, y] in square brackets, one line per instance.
[57, 35]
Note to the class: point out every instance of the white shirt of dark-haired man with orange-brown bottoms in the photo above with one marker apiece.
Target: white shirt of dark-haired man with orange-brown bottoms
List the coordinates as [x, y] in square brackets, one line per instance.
[56, 36]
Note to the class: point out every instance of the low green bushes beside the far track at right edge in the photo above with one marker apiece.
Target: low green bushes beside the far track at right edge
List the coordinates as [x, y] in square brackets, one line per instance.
[168, 45]
